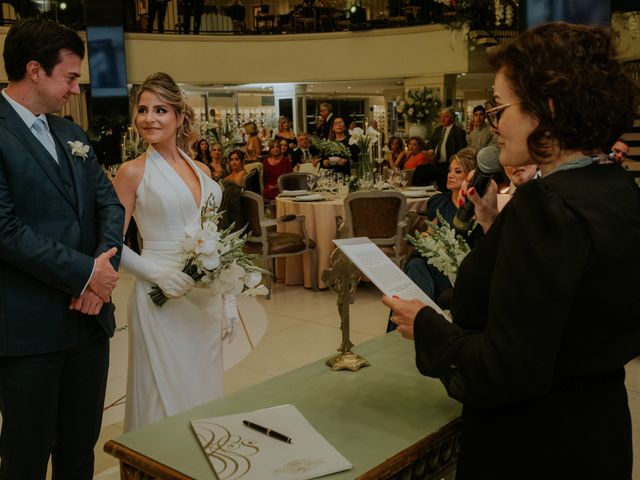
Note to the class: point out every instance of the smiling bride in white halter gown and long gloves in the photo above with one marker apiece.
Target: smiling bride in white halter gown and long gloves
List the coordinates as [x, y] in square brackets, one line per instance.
[175, 351]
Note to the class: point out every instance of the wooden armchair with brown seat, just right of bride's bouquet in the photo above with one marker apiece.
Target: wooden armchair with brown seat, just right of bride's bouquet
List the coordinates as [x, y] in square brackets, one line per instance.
[266, 241]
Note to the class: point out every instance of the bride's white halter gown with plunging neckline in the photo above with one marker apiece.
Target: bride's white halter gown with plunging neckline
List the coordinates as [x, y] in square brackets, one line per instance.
[175, 351]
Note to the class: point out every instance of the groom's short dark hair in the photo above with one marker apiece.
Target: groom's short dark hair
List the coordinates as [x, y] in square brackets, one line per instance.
[40, 40]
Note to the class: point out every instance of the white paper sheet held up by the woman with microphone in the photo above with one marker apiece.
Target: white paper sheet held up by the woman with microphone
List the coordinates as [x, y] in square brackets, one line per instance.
[379, 268]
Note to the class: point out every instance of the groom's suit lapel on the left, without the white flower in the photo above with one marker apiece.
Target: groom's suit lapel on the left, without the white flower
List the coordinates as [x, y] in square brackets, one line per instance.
[10, 120]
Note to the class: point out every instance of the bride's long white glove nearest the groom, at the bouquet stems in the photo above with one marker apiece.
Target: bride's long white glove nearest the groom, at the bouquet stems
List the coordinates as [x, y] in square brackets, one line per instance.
[173, 282]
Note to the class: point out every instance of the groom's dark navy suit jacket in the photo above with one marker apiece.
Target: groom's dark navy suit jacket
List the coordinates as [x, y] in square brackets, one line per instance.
[50, 232]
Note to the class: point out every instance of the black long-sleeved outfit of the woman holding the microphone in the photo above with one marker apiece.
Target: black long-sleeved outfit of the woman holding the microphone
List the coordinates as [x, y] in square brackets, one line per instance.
[545, 317]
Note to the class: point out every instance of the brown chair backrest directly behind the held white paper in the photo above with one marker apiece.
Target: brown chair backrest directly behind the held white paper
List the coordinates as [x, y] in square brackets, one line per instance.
[380, 216]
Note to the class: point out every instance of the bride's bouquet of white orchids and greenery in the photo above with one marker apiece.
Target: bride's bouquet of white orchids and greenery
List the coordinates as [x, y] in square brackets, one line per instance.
[215, 260]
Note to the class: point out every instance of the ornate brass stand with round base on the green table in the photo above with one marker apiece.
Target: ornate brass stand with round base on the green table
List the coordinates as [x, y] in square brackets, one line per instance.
[343, 277]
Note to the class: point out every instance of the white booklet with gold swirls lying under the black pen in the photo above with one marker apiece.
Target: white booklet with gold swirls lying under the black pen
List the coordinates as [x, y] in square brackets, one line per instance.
[236, 451]
